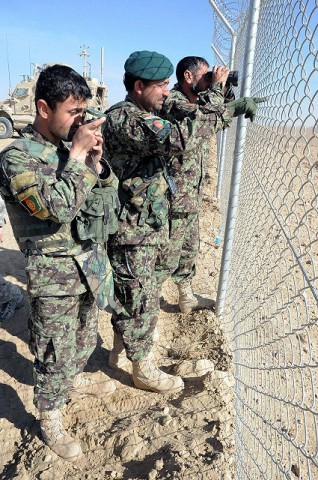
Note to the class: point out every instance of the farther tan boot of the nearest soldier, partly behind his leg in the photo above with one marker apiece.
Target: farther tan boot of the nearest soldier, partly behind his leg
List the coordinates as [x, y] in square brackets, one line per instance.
[88, 385]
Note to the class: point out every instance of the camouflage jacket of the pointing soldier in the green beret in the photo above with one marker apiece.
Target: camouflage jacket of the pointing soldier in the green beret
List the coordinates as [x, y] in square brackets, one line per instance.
[138, 143]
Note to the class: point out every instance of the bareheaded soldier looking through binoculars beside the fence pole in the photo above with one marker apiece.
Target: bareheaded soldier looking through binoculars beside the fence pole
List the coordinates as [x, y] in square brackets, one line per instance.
[193, 91]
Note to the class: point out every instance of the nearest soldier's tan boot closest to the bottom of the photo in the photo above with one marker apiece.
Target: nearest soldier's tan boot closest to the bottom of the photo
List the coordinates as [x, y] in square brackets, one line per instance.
[55, 436]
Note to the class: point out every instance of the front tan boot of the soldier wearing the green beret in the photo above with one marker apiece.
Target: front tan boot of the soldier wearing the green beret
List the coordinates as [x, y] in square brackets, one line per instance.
[147, 376]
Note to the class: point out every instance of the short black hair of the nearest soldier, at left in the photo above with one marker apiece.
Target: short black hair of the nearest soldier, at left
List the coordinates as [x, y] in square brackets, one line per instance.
[57, 82]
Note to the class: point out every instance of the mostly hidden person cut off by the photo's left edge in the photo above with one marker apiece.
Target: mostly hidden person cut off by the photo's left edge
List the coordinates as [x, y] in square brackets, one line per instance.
[11, 296]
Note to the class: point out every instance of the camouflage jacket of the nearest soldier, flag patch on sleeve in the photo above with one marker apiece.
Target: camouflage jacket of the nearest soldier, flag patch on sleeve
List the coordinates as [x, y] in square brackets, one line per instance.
[44, 191]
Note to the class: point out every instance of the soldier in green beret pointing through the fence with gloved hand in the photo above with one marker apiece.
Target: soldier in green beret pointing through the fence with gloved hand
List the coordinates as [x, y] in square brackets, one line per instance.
[138, 143]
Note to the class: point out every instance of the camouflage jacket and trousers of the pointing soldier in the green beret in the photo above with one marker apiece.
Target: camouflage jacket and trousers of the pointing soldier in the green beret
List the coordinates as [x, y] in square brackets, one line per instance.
[134, 141]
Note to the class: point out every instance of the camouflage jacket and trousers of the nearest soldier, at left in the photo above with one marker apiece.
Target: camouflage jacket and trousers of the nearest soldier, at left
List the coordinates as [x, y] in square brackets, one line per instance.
[37, 178]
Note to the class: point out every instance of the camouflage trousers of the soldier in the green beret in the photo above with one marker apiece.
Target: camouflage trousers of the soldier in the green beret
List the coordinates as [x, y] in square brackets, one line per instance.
[137, 295]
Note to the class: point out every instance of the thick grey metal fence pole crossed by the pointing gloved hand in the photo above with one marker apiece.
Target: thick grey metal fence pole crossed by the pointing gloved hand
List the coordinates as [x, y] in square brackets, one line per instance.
[238, 159]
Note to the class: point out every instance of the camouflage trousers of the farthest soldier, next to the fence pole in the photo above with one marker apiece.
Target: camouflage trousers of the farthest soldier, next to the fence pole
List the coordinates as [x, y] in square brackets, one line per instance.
[178, 256]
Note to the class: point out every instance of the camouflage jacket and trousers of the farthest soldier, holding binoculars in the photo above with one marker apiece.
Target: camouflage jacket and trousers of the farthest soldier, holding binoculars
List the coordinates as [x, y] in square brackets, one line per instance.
[188, 171]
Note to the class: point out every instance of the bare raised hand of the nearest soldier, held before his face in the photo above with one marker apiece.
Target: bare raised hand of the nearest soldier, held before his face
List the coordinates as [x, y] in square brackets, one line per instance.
[85, 139]
